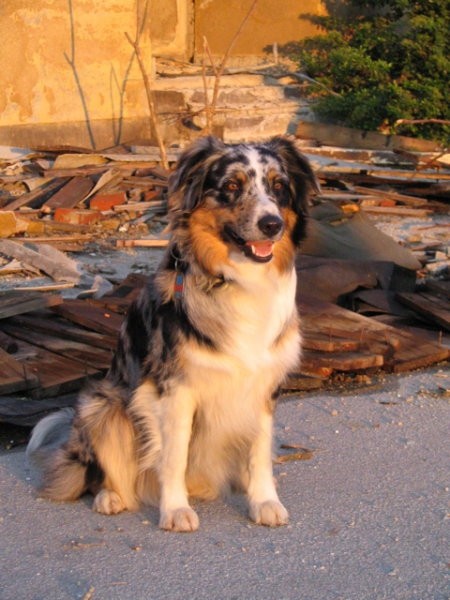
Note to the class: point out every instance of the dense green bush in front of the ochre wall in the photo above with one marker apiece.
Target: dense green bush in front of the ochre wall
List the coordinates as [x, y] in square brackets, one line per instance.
[382, 61]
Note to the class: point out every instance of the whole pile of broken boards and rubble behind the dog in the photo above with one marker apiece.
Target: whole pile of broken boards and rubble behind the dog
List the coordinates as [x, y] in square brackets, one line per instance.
[369, 302]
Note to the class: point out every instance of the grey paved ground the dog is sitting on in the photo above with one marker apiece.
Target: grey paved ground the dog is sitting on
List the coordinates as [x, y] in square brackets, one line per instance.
[368, 517]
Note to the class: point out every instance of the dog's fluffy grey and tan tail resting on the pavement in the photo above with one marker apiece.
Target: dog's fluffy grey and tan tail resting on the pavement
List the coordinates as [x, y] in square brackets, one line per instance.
[60, 477]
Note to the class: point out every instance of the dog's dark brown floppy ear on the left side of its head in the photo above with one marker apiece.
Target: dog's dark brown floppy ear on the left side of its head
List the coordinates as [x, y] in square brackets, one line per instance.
[189, 176]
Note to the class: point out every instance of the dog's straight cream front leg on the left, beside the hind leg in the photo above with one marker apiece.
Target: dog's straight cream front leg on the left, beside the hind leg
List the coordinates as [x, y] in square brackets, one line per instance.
[177, 415]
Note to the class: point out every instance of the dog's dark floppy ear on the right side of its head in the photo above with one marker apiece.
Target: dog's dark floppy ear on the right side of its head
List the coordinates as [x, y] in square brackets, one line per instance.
[303, 180]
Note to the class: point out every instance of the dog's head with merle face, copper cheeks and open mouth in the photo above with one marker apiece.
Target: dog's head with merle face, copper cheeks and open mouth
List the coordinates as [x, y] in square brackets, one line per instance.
[249, 199]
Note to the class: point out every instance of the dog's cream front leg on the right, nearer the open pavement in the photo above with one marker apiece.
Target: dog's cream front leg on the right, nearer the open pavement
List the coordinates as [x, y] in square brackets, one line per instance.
[265, 506]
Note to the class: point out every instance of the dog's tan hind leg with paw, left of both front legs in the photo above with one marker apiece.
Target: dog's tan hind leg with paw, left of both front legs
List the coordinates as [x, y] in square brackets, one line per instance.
[112, 438]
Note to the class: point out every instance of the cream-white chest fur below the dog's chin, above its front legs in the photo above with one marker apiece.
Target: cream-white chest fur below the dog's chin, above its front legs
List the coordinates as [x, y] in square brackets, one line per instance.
[248, 320]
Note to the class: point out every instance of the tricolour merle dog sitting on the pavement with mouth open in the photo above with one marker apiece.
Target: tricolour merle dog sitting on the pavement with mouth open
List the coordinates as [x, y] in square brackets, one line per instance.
[186, 408]
